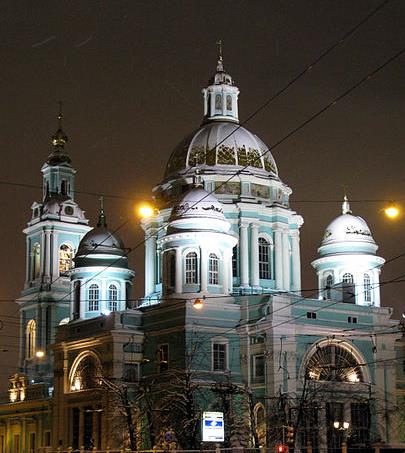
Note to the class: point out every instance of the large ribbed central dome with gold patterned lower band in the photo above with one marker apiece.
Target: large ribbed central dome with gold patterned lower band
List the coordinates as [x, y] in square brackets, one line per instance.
[222, 144]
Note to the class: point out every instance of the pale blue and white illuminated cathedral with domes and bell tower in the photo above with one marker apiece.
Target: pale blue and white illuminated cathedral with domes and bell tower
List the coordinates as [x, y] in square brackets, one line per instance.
[222, 327]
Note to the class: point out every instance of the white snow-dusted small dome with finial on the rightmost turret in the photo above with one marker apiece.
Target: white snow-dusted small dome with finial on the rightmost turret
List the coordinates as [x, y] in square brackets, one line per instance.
[349, 233]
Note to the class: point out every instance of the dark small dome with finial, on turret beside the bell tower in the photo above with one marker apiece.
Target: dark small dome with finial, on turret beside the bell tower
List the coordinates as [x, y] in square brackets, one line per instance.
[101, 247]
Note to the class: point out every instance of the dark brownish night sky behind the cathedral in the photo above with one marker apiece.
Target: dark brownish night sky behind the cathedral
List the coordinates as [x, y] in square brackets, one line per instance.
[130, 74]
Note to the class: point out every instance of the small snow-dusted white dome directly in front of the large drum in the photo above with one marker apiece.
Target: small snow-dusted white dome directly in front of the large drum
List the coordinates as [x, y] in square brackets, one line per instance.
[198, 204]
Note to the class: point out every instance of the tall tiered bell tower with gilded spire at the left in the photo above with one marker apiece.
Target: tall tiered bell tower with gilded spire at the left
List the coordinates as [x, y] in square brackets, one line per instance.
[53, 234]
